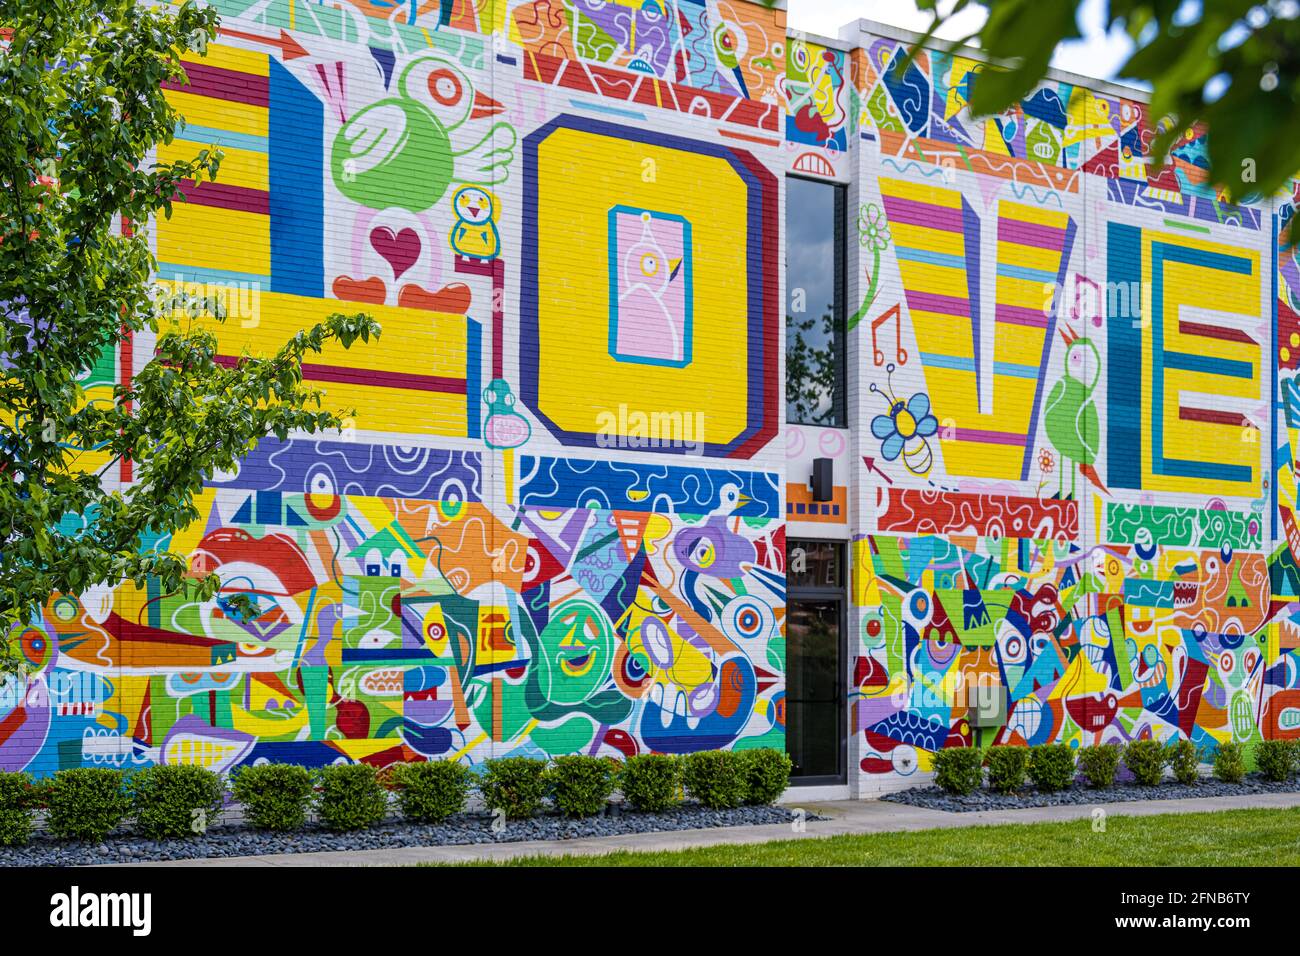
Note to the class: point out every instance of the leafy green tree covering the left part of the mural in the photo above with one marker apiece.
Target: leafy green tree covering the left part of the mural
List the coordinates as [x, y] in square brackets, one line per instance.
[84, 107]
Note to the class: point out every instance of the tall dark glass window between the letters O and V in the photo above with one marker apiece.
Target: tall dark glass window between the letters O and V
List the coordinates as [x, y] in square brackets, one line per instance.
[814, 302]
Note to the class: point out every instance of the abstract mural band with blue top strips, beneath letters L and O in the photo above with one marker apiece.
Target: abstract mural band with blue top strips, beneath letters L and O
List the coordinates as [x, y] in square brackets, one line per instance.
[401, 620]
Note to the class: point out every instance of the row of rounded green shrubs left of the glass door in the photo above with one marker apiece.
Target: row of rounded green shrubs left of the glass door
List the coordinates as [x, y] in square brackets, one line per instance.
[179, 801]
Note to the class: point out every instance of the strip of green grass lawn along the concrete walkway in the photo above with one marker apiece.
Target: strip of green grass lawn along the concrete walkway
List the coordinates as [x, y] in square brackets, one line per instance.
[1228, 838]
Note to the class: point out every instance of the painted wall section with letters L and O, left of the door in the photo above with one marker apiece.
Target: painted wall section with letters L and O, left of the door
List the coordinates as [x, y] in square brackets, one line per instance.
[554, 525]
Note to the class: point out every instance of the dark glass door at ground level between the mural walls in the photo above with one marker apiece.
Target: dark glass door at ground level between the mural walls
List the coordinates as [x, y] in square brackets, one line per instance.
[816, 703]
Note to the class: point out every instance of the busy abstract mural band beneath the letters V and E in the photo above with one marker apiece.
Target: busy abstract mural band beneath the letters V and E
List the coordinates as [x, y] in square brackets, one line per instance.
[1080, 646]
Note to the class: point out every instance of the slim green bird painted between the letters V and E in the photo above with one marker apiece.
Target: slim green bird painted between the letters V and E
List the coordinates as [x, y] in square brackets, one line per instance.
[1071, 417]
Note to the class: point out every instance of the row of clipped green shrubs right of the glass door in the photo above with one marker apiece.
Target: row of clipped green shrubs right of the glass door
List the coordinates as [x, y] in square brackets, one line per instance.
[1055, 767]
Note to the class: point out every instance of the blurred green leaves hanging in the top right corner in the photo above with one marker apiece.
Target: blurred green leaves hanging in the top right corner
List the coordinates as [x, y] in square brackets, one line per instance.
[1232, 67]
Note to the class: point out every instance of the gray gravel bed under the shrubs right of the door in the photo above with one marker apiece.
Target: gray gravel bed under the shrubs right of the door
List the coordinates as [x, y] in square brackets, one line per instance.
[1081, 794]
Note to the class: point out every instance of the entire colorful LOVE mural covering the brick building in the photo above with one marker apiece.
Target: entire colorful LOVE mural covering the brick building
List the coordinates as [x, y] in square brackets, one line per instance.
[557, 522]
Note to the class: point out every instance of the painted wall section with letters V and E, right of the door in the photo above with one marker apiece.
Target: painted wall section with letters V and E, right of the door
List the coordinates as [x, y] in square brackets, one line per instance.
[1071, 522]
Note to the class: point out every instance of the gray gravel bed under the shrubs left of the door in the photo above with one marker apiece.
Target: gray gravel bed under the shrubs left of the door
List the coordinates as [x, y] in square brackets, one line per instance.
[229, 841]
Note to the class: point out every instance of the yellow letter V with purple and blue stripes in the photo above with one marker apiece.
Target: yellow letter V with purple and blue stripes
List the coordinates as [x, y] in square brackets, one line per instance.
[974, 284]
